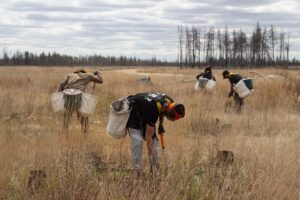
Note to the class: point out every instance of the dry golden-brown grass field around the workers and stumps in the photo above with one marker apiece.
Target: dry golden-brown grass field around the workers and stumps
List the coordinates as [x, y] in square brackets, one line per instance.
[264, 138]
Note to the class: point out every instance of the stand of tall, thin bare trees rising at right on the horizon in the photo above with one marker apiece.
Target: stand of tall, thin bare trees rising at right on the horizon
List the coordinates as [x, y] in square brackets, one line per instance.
[265, 46]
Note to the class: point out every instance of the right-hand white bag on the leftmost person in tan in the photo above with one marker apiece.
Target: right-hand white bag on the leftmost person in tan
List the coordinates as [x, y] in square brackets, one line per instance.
[88, 104]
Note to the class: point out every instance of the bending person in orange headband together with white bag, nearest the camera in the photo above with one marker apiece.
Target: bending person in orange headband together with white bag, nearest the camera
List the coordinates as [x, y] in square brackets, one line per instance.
[138, 115]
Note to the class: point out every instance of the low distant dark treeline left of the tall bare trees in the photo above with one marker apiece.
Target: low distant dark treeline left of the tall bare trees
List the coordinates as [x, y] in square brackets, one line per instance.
[56, 59]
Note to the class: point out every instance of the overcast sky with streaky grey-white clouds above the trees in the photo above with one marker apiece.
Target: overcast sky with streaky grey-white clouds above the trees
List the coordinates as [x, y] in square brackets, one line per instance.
[133, 27]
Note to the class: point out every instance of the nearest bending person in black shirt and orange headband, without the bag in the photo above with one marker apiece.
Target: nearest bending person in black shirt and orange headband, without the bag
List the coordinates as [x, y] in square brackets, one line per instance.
[147, 109]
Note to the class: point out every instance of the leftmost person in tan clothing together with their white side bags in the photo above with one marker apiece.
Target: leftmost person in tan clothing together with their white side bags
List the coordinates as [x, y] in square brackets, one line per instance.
[71, 97]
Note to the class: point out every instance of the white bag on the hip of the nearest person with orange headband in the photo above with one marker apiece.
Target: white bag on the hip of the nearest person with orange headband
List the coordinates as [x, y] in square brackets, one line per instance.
[118, 118]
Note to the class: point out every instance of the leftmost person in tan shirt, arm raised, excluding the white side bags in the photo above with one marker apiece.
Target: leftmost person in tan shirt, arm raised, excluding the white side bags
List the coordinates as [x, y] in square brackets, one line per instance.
[77, 82]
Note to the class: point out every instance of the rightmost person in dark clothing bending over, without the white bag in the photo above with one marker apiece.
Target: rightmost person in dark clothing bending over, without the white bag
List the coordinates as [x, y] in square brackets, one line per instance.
[234, 79]
